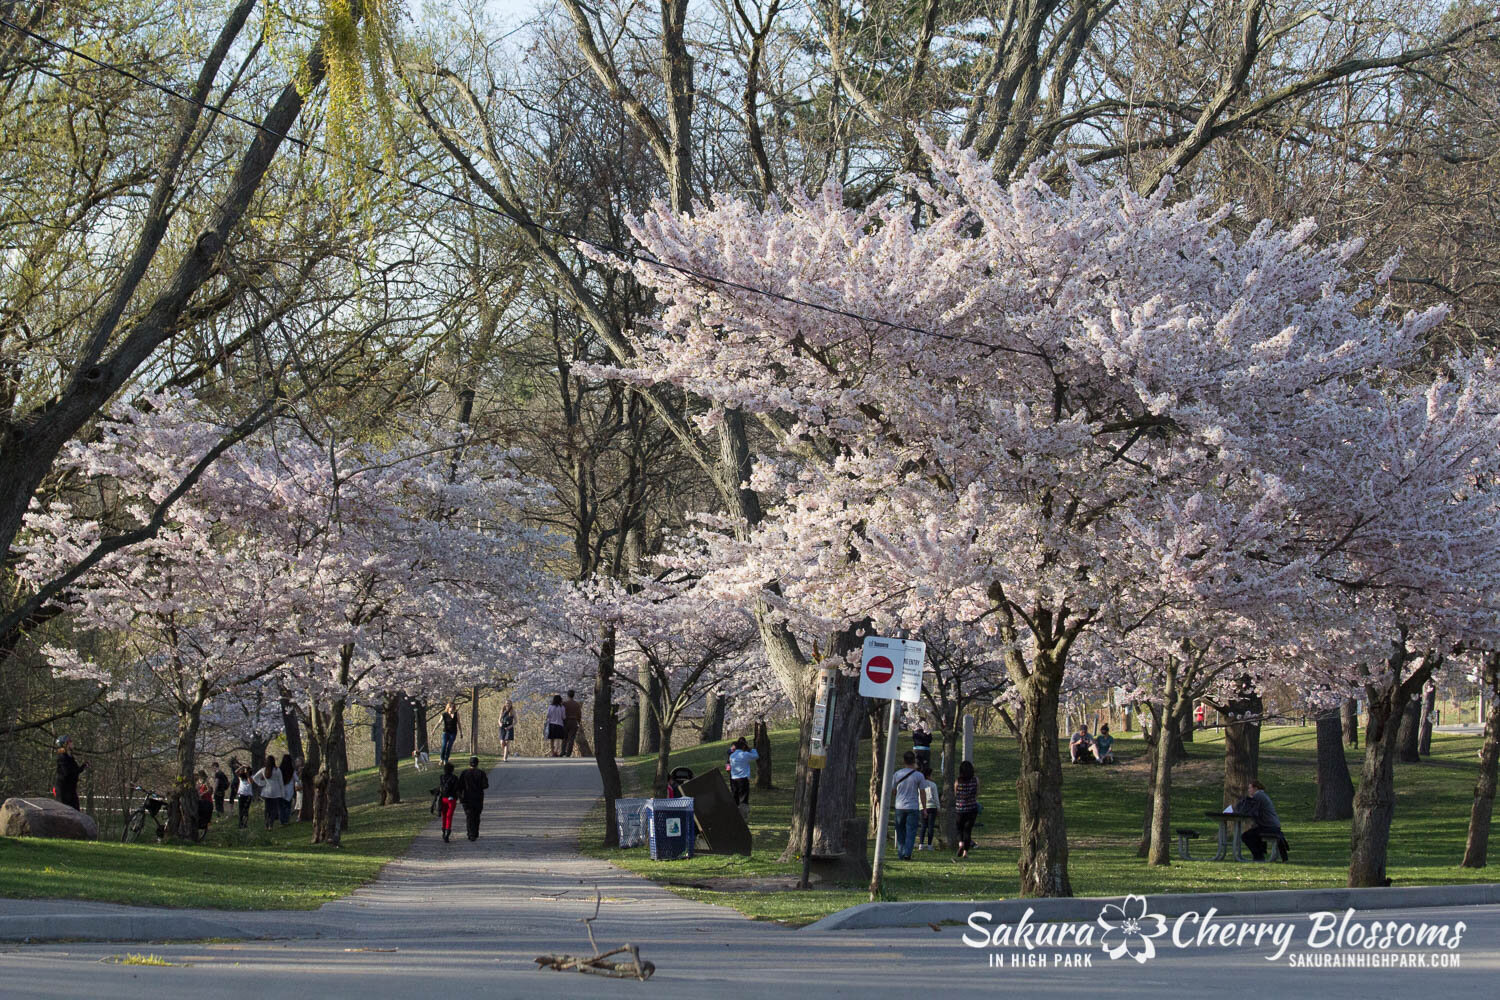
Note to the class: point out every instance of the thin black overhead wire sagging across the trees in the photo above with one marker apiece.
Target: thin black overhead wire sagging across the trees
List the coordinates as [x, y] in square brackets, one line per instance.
[454, 197]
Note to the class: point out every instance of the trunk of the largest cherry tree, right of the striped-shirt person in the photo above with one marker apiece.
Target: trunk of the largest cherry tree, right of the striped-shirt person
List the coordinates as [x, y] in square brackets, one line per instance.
[1043, 828]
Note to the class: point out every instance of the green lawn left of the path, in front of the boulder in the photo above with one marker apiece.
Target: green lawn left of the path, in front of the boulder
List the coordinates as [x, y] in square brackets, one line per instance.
[233, 869]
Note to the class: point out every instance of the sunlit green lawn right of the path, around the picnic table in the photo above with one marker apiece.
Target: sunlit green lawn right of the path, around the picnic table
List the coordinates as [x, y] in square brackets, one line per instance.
[1105, 809]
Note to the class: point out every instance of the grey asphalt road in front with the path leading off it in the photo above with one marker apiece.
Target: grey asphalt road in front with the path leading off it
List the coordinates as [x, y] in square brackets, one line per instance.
[469, 920]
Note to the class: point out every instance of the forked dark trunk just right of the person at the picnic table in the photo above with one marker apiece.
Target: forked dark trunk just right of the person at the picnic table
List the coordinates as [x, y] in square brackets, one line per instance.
[1375, 800]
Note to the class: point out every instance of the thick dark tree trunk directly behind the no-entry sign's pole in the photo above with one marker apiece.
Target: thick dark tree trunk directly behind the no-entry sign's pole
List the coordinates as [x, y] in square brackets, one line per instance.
[838, 788]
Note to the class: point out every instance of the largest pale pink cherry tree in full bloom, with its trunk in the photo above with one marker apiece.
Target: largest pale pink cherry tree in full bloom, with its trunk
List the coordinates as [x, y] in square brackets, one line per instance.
[1048, 410]
